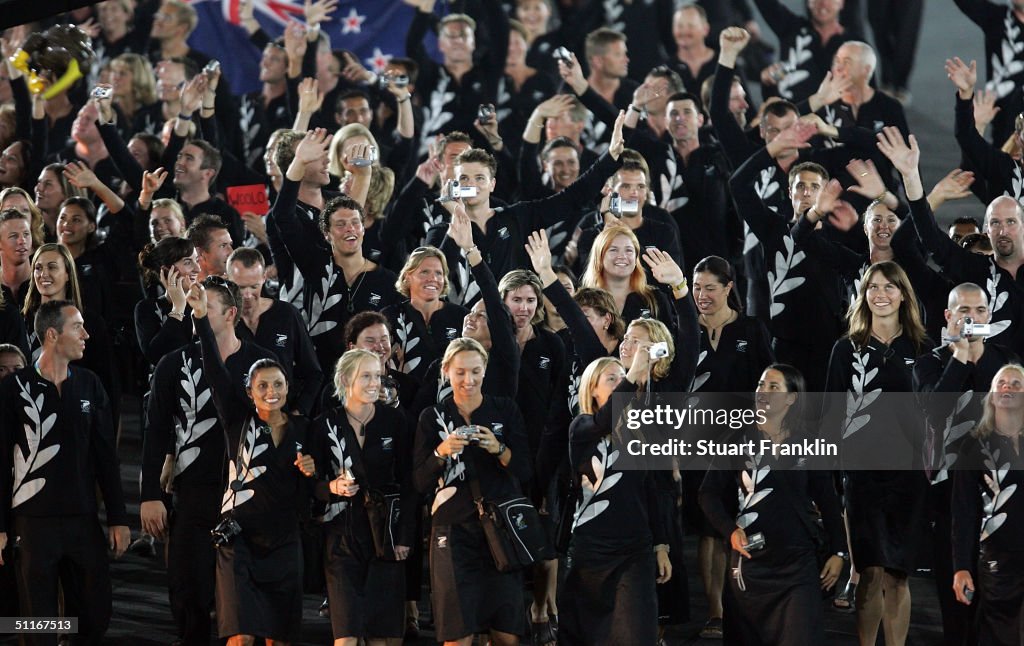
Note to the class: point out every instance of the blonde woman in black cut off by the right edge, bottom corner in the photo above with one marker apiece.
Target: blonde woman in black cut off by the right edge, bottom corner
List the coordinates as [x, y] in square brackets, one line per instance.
[988, 482]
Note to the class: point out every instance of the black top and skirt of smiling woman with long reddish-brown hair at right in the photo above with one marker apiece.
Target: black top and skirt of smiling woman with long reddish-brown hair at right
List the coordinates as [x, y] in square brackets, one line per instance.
[885, 508]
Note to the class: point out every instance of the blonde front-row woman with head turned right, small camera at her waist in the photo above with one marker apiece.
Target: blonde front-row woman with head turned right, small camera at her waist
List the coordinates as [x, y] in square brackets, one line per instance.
[365, 454]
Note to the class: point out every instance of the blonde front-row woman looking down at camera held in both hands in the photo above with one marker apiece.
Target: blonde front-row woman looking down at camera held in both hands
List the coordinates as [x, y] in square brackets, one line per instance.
[470, 442]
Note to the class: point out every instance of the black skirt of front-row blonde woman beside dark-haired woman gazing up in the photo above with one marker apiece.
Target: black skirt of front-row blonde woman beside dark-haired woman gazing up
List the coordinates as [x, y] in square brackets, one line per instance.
[610, 601]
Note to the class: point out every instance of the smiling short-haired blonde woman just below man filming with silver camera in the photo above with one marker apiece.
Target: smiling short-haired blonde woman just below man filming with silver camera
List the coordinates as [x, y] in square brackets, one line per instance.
[426, 322]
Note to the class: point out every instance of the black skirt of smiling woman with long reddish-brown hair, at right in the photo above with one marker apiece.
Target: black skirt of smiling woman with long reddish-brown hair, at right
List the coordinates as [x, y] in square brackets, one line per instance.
[886, 511]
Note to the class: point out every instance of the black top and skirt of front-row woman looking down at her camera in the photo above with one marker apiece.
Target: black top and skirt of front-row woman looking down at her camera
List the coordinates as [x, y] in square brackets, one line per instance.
[471, 596]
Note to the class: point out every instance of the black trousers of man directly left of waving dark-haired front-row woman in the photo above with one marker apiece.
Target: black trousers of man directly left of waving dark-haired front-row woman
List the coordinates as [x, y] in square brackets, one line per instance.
[192, 564]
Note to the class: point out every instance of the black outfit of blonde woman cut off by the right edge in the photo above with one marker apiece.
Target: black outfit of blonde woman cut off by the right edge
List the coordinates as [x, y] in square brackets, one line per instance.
[988, 497]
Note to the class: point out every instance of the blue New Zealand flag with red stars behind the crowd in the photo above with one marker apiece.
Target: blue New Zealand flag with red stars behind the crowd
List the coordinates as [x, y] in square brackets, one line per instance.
[374, 30]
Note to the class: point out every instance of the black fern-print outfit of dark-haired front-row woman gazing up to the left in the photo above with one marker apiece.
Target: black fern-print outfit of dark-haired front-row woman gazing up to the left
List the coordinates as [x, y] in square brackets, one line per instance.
[778, 592]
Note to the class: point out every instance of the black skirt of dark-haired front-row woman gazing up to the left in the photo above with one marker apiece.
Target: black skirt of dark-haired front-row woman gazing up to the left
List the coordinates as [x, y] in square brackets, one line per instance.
[778, 598]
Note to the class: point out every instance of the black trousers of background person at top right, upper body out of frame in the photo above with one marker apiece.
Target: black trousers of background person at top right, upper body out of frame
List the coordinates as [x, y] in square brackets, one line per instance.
[897, 25]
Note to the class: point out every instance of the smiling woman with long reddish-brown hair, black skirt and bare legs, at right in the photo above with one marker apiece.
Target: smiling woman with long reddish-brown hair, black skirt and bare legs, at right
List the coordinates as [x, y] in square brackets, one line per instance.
[885, 491]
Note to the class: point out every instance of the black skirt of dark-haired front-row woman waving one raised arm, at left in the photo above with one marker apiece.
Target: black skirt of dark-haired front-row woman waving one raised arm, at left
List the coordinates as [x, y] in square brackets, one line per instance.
[260, 586]
